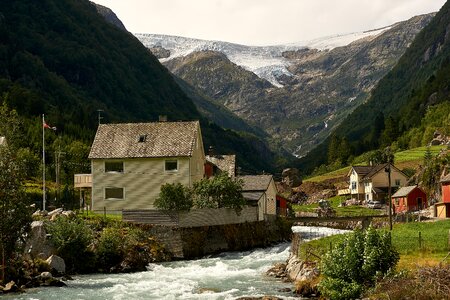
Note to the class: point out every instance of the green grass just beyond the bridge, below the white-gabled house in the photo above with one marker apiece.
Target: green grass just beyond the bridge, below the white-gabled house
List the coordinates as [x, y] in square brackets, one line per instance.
[346, 211]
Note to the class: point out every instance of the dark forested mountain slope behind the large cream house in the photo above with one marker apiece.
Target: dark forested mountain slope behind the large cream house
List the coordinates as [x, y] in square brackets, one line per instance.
[61, 58]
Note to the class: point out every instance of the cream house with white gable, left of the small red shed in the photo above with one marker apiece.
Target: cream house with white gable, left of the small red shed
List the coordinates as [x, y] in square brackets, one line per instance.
[369, 183]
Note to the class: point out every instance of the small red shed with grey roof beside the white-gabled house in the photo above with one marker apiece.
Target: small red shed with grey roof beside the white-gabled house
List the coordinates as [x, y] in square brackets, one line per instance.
[409, 198]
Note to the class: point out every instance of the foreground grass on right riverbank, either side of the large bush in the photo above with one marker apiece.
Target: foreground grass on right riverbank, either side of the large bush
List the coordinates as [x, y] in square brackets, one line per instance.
[428, 249]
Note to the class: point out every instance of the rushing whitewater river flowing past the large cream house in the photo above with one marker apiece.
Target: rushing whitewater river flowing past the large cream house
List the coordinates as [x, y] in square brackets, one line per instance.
[225, 276]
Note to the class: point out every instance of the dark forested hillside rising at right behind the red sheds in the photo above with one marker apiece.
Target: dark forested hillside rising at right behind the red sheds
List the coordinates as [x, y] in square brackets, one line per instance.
[394, 114]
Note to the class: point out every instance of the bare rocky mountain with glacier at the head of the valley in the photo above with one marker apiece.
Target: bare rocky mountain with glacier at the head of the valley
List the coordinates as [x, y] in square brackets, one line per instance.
[313, 91]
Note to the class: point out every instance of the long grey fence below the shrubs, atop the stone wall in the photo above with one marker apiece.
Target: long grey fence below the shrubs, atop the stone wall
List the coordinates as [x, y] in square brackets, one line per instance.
[193, 218]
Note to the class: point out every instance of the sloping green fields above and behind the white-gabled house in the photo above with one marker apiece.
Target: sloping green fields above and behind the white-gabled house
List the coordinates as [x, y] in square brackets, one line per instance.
[404, 159]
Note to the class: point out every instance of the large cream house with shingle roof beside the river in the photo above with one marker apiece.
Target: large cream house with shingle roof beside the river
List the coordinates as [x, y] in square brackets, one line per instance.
[131, 161]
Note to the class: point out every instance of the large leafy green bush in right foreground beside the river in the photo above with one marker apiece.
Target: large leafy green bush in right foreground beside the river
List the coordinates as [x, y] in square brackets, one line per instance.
[356, 262]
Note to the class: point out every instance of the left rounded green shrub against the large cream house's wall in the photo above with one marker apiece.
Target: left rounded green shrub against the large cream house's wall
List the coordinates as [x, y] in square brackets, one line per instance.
[174, 196]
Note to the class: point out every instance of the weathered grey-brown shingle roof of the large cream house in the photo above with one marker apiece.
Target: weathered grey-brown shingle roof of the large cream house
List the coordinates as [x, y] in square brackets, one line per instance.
[139, 140]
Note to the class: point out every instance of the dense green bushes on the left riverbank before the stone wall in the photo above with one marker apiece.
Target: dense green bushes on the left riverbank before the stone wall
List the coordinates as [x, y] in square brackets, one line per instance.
[107, 246]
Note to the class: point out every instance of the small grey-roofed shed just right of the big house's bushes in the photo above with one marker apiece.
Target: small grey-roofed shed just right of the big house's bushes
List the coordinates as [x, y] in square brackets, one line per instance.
[260, 190]
